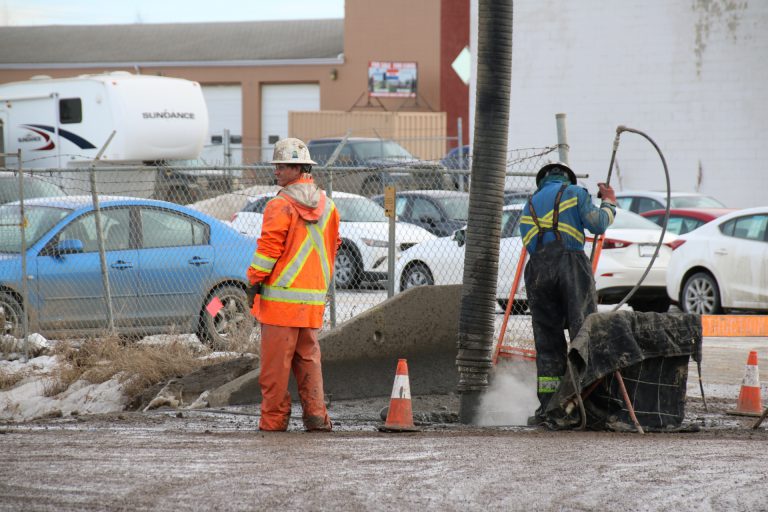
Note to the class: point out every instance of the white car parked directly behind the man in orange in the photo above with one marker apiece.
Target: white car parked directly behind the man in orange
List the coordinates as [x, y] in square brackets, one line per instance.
[364, 231]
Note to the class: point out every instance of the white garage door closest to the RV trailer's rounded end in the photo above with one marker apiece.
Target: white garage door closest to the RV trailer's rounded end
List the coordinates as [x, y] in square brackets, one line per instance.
[225, 111]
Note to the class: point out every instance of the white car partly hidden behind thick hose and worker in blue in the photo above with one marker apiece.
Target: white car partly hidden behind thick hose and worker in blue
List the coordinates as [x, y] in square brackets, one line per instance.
[628, 246]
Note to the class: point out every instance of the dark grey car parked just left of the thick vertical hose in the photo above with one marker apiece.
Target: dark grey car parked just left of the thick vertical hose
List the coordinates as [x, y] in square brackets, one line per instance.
[441, 212]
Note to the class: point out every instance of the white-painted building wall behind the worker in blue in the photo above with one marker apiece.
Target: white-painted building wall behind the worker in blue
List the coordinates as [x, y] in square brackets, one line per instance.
[692, 74]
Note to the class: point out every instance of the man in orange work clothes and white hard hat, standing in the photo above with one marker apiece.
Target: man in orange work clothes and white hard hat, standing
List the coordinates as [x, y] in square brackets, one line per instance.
[290, 274]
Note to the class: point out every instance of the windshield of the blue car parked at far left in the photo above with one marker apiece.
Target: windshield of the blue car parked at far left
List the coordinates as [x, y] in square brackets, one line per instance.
[40, 219]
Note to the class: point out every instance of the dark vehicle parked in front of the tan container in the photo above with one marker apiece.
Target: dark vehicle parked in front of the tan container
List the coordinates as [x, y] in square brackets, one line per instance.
[368, 165]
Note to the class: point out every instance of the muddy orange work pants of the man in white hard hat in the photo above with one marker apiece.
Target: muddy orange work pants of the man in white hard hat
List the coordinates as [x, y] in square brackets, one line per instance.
[284, 349]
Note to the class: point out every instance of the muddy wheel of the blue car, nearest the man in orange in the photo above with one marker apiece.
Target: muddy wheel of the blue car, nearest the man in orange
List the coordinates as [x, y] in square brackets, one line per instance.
[233, 321]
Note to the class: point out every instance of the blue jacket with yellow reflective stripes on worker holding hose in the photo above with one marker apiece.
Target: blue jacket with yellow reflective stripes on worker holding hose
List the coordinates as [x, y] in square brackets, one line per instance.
[576, 213]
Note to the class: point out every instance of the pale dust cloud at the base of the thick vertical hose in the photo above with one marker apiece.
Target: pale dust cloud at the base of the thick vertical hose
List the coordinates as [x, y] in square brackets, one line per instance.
[511, 396]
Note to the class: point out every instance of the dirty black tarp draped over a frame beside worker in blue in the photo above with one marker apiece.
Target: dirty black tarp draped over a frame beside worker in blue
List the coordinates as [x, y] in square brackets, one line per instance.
[651, 350]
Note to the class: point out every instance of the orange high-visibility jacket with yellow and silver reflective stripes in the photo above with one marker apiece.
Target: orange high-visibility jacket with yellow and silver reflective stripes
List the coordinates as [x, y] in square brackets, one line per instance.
[295, 255]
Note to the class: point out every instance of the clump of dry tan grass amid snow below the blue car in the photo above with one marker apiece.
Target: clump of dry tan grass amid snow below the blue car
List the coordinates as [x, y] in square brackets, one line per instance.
[137, 366]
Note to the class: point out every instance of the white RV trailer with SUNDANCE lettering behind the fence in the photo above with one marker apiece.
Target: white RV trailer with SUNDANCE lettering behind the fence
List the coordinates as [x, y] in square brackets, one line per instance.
[61, 124]
